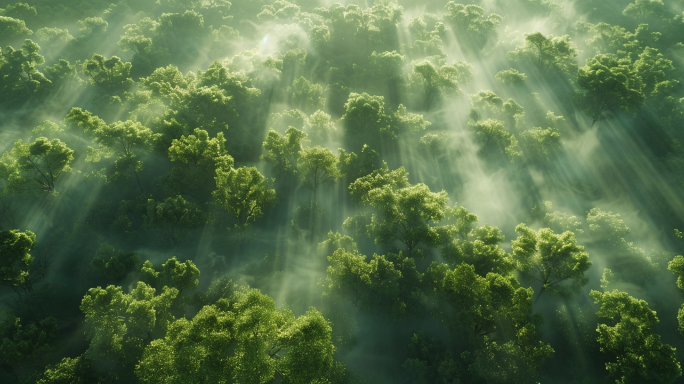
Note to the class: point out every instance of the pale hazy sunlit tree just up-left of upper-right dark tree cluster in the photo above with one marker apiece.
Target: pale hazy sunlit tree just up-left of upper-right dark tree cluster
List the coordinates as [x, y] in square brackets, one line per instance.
[547, 53]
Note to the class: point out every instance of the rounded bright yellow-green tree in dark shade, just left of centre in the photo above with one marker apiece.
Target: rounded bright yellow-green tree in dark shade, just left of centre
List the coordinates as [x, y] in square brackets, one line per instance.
[244, 193]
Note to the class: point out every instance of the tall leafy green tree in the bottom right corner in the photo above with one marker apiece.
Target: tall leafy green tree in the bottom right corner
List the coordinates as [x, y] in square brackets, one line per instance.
[626, 335]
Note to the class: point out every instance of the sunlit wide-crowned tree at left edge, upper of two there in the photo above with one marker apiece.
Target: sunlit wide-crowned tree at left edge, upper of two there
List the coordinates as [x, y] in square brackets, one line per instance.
[37, 164]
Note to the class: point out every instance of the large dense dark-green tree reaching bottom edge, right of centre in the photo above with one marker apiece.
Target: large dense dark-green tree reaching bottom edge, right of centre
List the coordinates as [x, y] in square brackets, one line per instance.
[495, 315]
